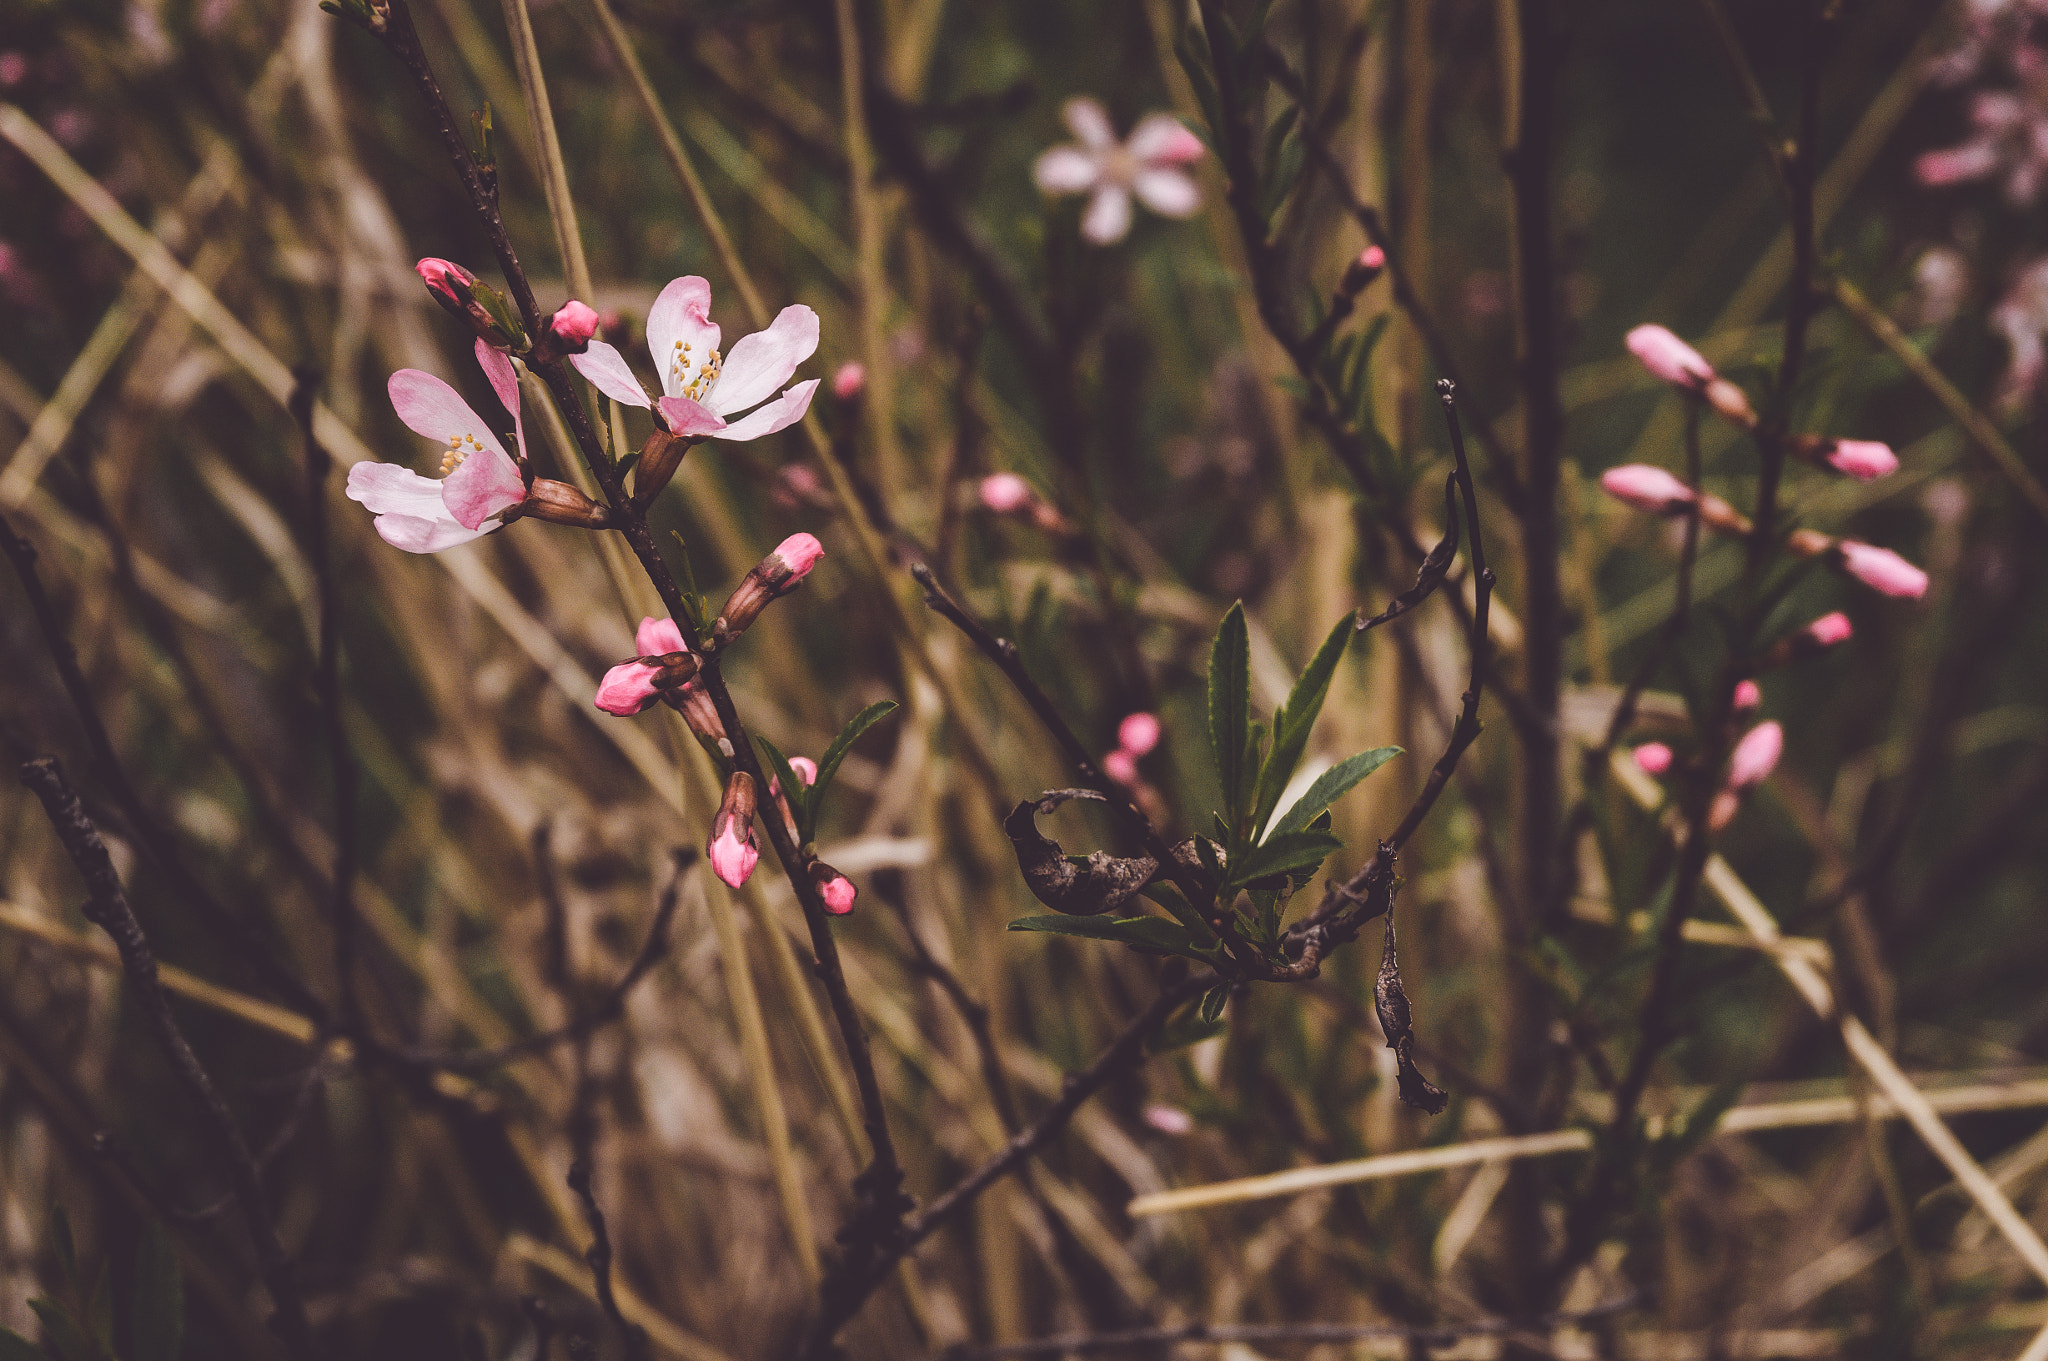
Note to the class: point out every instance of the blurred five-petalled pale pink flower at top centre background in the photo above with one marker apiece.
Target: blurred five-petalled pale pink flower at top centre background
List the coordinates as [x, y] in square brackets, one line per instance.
[1113, 171]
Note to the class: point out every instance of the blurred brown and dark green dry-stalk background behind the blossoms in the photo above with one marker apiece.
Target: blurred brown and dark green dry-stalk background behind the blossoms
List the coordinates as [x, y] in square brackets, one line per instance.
[284, 159]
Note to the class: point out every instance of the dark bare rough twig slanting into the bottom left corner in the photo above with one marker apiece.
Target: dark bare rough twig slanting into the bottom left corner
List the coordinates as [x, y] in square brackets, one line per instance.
[108, 908]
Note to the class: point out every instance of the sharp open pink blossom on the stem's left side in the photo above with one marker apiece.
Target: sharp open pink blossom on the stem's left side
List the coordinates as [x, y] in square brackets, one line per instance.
[480, 482]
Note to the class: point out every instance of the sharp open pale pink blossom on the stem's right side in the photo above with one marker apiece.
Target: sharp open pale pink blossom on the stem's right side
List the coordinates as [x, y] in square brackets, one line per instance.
[701, 386]
